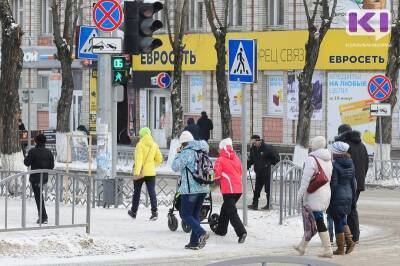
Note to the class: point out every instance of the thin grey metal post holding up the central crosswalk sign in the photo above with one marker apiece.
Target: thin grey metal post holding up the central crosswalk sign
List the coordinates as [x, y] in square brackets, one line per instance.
[244, 152]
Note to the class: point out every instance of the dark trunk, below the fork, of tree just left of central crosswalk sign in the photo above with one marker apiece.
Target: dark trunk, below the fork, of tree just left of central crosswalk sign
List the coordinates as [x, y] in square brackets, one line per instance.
[223, 95]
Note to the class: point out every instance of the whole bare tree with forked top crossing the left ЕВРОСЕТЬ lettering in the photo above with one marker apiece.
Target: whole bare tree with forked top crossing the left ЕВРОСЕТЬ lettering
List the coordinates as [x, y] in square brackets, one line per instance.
[175, 35]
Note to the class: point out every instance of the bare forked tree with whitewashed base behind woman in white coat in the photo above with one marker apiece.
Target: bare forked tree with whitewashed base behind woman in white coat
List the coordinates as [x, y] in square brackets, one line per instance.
[315, 37]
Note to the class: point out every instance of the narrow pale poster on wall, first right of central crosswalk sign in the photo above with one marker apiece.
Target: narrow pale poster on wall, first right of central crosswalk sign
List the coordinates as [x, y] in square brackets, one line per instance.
[275, 95]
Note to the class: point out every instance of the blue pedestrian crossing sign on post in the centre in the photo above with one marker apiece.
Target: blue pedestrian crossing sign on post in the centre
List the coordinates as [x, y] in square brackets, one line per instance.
[242, 61]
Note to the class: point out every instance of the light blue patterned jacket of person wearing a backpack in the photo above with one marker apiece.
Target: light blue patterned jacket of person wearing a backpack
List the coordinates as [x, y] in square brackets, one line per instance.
[187, 158]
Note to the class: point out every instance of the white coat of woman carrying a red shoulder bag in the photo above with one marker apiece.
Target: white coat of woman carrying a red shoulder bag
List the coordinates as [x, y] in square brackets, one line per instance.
[319, 199]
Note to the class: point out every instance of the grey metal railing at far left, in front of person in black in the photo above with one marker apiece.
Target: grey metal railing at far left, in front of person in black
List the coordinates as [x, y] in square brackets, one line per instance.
[56, 190]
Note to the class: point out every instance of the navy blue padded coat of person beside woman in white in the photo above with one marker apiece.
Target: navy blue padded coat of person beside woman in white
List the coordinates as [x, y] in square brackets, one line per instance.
[343, 187]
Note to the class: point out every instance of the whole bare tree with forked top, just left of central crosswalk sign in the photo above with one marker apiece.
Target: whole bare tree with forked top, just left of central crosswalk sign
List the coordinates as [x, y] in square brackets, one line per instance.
[220, 29]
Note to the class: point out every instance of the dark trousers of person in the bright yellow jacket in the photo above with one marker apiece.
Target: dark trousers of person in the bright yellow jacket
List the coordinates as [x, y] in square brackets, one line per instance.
[151, 189]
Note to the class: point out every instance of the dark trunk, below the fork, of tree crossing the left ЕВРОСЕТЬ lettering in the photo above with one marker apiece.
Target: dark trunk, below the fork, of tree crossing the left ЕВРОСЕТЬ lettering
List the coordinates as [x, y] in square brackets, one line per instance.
[177, 110]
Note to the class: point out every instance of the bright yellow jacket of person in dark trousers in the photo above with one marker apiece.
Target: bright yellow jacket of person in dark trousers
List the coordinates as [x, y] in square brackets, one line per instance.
[147, 148]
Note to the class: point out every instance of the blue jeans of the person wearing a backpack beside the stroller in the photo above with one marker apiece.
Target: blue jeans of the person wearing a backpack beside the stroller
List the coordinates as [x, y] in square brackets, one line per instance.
[190, 213]
